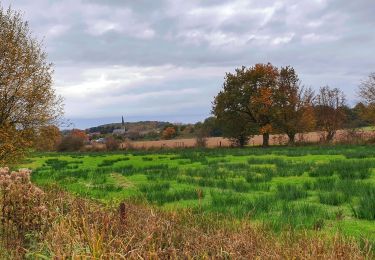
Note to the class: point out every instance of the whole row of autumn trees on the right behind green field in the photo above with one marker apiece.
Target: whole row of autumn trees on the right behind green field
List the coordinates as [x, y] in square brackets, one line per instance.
[265, 99]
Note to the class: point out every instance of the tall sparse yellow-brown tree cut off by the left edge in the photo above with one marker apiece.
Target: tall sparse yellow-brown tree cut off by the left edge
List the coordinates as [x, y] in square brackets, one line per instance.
[27, 100]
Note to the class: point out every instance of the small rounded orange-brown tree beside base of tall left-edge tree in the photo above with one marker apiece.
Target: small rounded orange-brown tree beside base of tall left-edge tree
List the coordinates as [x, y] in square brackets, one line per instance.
[48, 138]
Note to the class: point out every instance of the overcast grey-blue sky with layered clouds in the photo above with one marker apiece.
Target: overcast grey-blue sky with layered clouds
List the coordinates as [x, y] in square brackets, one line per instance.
[166, 59]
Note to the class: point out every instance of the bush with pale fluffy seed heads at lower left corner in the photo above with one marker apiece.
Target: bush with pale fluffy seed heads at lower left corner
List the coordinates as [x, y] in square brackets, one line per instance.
[23, 211]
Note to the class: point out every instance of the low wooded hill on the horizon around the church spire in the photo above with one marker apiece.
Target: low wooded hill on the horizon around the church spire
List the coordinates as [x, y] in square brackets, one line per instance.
[141, 126]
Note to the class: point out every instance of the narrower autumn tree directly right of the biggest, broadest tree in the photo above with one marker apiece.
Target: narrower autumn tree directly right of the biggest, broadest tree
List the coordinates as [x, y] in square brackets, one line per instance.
[293, 105]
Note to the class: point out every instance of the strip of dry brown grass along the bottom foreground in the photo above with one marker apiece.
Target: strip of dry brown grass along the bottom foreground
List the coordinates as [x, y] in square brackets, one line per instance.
[84, 229]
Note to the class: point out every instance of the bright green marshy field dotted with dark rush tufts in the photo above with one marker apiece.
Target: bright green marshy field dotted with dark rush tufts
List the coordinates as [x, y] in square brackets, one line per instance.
[324, 189]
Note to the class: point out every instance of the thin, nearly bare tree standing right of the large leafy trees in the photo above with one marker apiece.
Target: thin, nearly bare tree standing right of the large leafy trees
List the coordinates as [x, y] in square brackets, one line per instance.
[329, 110]
